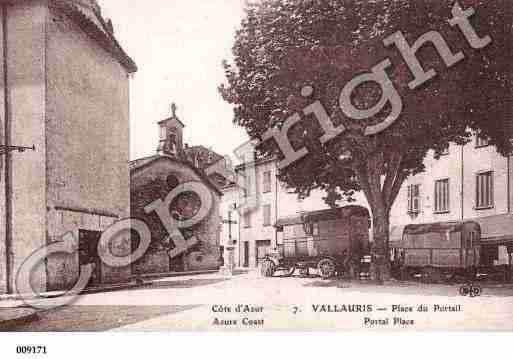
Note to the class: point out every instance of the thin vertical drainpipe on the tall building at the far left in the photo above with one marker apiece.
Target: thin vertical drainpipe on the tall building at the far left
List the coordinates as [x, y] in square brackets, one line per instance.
[7, 167]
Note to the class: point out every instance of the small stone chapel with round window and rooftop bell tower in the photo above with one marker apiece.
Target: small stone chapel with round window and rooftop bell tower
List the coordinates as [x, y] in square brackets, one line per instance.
[153, 178]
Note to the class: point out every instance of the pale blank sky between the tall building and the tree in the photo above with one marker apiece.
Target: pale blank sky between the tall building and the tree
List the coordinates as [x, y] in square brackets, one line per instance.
[178, 46]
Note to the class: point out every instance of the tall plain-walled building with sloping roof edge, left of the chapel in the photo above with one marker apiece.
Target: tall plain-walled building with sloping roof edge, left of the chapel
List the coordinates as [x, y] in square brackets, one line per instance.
[65, 89]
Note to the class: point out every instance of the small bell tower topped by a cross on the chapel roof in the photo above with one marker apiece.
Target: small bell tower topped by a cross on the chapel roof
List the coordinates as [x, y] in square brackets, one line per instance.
[171, 135]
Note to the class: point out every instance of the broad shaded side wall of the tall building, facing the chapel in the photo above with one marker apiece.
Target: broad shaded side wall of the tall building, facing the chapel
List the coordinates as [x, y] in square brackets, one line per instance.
[87, 132]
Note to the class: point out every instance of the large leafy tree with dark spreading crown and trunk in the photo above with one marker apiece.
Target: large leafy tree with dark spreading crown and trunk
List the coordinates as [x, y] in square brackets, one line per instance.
[284, 45]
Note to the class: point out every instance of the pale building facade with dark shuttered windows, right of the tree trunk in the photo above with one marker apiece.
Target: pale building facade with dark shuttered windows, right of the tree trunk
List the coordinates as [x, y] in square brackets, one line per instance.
[469, 182]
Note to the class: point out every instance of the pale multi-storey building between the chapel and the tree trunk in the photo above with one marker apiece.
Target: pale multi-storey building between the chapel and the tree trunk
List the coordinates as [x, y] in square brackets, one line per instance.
[273, 201]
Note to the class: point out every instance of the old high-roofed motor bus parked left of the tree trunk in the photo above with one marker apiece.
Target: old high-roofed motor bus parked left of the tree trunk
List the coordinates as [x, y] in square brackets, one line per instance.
[329, 242]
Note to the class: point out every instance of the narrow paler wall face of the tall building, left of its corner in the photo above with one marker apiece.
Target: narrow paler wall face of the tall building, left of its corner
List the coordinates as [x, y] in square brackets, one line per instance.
[25, 37]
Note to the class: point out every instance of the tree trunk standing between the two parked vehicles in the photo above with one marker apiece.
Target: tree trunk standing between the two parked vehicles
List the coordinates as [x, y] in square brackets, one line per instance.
[380, 266]
